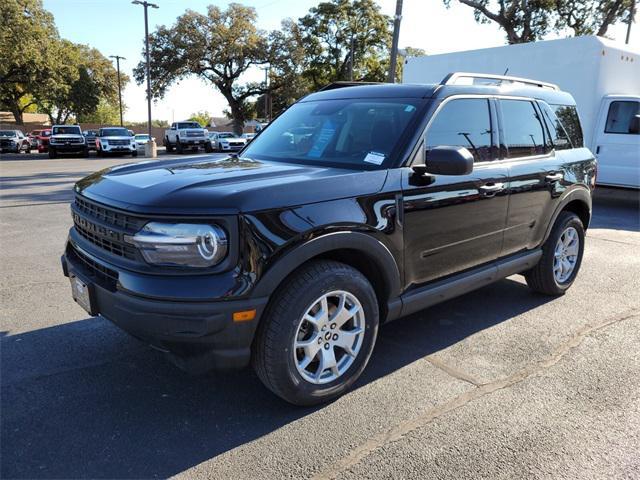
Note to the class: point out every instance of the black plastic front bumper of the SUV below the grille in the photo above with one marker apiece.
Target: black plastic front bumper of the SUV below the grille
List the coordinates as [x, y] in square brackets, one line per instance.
[183, 327]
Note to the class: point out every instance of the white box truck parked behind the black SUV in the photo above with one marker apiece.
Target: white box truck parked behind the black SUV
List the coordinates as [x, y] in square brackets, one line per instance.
[602, 76]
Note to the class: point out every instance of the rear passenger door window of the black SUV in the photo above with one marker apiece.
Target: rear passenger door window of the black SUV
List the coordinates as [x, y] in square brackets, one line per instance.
[524, 134]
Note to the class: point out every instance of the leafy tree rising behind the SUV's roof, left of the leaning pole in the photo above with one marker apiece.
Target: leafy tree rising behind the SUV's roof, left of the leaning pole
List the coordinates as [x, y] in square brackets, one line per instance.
[333, 30]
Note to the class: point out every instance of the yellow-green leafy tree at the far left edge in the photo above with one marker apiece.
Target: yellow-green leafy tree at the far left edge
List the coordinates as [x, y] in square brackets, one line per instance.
[27, 33]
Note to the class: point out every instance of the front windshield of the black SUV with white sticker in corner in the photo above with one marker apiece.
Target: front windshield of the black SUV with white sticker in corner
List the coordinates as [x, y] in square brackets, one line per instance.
[353, 133]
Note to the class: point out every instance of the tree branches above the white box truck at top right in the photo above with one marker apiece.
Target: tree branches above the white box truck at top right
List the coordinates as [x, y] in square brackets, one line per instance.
[530, 20]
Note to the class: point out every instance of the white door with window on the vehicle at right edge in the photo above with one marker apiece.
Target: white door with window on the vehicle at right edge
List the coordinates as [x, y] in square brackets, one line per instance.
[617, 142]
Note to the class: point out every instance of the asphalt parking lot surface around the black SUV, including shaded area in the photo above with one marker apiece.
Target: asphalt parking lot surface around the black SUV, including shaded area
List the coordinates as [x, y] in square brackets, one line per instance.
[500, 383]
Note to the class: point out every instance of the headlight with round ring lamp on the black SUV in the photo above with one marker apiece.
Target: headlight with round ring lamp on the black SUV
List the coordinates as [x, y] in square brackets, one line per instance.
[181, 244]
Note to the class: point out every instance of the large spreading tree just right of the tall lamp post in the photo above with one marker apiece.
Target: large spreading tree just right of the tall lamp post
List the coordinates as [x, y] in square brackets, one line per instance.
[218, 47]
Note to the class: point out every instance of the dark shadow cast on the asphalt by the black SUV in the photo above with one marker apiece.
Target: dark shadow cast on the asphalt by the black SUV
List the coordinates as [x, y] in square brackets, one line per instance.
[83, 399]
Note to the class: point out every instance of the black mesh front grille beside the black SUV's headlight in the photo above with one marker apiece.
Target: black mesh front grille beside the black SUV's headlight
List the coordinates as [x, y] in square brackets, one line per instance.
[105, 228]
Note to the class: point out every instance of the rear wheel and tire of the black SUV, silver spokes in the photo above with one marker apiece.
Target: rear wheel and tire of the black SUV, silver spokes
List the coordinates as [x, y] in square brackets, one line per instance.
[561, 257]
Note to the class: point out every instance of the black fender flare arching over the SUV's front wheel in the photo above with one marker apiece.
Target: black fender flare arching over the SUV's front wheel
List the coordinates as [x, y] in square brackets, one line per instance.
[373, 249]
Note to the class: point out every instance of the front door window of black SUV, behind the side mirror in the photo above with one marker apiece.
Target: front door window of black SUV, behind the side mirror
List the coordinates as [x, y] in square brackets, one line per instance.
[465, 122]
